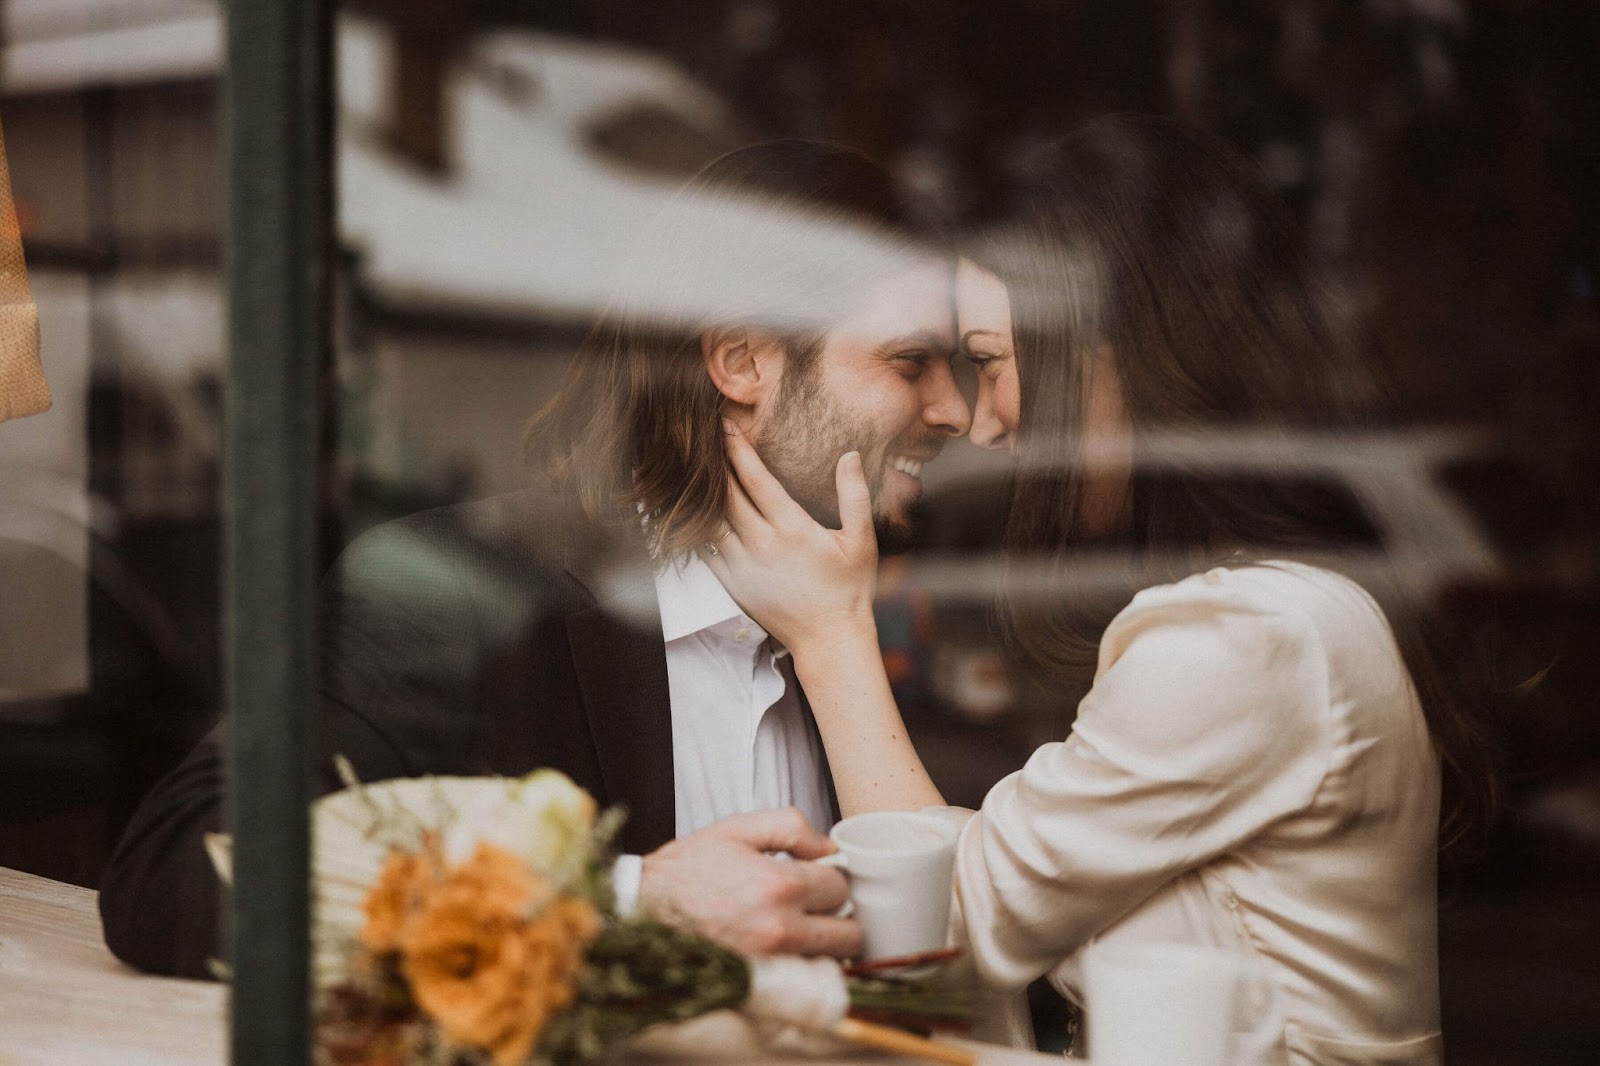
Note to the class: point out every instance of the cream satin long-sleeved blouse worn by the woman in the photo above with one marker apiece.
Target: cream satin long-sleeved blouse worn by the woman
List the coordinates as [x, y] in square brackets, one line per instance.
[1252, 771]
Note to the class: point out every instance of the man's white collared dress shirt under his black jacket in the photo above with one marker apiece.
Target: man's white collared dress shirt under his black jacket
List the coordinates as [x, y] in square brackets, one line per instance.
[742, 739]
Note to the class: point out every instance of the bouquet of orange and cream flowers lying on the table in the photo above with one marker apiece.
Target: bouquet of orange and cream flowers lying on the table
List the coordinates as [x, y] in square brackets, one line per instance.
[471, 921]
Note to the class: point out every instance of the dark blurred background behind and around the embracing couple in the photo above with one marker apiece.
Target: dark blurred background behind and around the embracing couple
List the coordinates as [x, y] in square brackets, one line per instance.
[494, 159]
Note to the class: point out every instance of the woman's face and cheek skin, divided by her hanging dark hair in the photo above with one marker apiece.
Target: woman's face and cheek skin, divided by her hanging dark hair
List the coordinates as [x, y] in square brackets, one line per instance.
[983, 315]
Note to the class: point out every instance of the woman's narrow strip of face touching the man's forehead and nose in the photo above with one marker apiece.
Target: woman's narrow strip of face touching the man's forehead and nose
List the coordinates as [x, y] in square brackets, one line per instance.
[983, 315]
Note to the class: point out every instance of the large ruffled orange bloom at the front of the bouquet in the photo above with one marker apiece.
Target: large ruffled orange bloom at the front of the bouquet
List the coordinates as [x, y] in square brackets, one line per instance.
[492, 955]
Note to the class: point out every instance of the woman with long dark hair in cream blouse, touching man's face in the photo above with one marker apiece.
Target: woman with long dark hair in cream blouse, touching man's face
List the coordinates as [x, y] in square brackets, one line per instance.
[1265, 758]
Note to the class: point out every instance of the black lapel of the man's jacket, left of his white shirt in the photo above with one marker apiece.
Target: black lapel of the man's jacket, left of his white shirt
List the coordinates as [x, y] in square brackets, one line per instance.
[622, 668]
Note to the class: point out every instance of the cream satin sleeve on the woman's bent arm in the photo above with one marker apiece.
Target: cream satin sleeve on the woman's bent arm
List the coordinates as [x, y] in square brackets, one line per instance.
[1209, 721]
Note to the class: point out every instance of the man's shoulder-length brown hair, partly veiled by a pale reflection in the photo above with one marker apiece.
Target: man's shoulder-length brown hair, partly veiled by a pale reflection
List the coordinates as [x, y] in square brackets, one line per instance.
[780, 238]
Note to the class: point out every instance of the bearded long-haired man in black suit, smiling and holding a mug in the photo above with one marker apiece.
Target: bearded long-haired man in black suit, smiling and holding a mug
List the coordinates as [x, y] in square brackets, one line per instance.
[577, 625]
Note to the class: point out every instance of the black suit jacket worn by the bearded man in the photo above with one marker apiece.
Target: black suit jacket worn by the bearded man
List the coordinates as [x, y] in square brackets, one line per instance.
[492, 638]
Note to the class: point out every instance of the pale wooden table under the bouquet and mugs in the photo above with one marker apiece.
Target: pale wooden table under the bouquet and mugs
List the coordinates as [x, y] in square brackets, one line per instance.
[65, 1001]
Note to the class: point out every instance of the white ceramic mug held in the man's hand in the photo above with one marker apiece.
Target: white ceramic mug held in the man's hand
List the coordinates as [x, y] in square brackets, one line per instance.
[900, 867]
